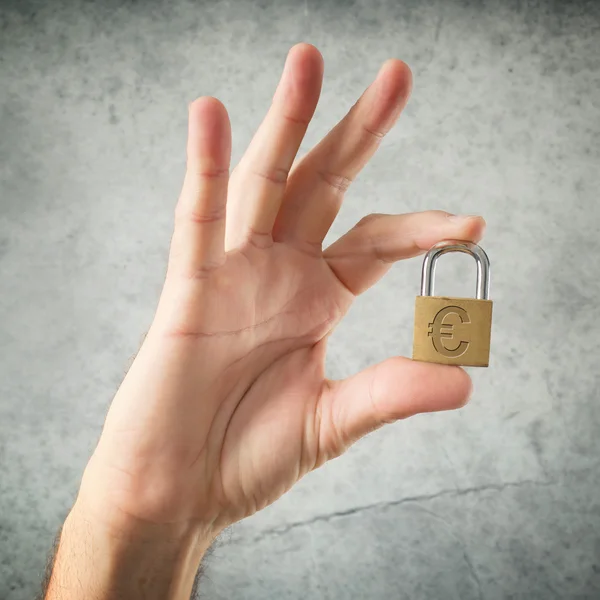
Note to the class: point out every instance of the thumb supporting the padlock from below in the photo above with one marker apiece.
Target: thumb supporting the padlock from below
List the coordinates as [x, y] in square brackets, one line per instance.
[394, 389]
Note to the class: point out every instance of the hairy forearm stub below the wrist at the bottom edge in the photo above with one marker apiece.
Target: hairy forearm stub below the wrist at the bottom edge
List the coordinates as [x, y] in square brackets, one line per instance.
[130, 560]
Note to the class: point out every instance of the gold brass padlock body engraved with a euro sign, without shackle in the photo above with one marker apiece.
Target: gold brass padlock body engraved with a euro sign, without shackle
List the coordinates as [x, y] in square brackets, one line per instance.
[452, 331]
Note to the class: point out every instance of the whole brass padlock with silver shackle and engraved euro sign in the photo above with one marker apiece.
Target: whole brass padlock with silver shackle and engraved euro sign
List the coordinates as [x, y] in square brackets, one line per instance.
[453, 331]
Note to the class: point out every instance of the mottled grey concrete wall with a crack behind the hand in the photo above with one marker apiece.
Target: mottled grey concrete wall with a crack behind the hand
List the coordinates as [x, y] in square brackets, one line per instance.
[498, 500]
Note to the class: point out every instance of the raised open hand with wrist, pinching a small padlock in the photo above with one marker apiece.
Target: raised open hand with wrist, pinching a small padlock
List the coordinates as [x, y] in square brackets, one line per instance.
[227, 406]
